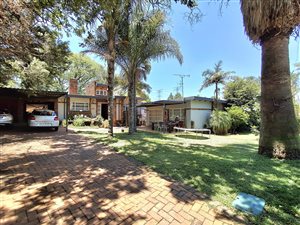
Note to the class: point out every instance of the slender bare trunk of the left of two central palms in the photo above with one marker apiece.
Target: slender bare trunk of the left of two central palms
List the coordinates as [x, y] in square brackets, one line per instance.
[110, 80]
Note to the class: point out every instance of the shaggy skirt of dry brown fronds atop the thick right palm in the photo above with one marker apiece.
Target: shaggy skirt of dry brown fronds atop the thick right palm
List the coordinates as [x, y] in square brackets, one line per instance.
[270, 17]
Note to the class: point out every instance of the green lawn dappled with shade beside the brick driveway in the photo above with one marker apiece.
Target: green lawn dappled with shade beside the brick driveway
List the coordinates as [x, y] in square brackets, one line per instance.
[220, 166]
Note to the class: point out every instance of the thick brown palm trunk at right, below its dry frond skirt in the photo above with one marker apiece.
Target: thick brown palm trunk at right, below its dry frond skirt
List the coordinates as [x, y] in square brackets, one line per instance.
[279, 132]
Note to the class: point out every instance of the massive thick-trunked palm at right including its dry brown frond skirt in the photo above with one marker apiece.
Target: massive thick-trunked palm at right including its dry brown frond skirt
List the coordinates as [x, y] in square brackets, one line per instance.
[270, 24]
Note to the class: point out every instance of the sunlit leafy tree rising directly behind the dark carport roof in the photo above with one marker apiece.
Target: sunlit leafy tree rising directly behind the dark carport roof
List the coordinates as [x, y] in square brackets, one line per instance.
[52, 57]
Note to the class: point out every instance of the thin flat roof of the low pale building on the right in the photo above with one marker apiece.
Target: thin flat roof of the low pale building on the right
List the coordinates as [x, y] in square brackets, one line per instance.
[175, 102]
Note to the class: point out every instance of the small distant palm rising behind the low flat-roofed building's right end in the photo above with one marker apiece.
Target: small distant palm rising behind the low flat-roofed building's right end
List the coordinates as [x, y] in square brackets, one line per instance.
[215, 77]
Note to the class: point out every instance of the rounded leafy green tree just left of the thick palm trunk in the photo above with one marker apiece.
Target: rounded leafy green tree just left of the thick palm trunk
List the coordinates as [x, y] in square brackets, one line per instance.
[244, 92]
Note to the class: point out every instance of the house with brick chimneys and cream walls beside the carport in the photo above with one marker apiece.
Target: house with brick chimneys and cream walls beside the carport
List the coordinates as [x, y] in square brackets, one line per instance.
[94, 102]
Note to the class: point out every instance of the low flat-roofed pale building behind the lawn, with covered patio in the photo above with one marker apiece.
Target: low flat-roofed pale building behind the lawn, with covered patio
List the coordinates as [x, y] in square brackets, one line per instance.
[194, 112]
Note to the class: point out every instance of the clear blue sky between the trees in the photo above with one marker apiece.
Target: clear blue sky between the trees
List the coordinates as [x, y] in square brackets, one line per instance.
[216, 37]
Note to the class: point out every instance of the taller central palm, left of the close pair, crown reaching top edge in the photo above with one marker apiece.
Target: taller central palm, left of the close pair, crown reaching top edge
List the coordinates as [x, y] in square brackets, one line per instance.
[103, 42]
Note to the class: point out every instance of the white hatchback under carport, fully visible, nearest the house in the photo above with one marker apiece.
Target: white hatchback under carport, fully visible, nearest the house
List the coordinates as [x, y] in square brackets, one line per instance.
[43, 118]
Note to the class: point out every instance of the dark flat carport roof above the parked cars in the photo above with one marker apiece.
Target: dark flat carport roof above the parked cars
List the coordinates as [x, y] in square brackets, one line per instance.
[26, 93]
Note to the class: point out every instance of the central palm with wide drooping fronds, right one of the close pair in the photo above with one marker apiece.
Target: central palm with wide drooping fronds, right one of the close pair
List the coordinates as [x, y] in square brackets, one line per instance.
[147, 40]
